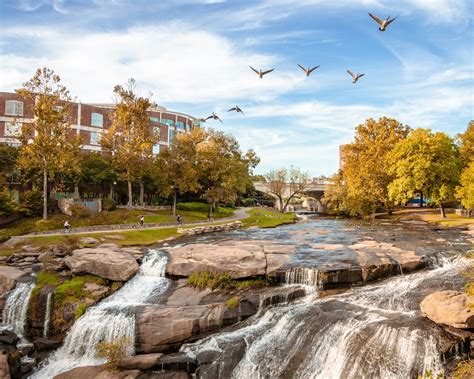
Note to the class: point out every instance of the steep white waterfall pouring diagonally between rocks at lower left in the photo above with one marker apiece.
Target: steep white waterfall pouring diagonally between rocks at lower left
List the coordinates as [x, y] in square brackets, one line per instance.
[110, 320]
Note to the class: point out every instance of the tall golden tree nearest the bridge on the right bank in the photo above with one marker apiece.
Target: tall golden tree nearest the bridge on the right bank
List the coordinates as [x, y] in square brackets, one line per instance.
[365, 172]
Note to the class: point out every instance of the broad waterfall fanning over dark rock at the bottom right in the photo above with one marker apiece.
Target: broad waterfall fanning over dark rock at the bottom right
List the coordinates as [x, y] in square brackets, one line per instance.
[369, 332]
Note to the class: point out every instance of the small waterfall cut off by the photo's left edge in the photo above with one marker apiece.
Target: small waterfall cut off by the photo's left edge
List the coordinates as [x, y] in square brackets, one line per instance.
[16, 306]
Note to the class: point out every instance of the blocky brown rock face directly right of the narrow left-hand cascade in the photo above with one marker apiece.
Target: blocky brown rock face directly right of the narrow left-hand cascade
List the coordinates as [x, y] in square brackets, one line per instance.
[161, 328]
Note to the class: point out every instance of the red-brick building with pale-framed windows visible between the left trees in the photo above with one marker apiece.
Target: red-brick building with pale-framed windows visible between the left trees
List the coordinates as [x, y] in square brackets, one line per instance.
[89, 121]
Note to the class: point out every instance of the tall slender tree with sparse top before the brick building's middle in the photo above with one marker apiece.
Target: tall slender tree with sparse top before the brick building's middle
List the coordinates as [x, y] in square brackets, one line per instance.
[130, 139]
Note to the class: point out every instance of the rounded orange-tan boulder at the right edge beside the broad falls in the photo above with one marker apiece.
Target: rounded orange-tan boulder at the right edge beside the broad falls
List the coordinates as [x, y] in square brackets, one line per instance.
[449, 308]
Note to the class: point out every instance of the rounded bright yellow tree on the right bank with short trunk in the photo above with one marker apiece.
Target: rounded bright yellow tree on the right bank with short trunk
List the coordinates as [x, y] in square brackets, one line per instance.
[427, 162]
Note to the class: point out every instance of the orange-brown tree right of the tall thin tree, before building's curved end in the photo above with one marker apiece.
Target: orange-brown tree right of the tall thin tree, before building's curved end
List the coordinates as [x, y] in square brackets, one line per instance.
[178, 166]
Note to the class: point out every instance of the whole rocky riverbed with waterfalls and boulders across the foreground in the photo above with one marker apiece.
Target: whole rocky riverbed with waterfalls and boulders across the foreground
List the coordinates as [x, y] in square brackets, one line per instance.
[273, 291]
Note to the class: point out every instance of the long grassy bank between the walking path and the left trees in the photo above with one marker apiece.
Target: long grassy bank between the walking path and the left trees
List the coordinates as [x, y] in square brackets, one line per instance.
[118, 216]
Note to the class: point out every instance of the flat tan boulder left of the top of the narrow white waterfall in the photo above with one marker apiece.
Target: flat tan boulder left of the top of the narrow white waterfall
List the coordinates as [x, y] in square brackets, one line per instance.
[107, 262]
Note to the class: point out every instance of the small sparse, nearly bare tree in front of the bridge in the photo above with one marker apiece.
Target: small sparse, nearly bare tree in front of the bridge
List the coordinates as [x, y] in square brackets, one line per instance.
[285, 184]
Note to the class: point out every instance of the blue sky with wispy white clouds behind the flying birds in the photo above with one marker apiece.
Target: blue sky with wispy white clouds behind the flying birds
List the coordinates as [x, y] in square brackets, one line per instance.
[193, 56]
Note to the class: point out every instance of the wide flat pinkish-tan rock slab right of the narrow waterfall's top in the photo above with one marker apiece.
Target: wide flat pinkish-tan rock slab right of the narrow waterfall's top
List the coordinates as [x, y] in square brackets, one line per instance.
[239, 262]
